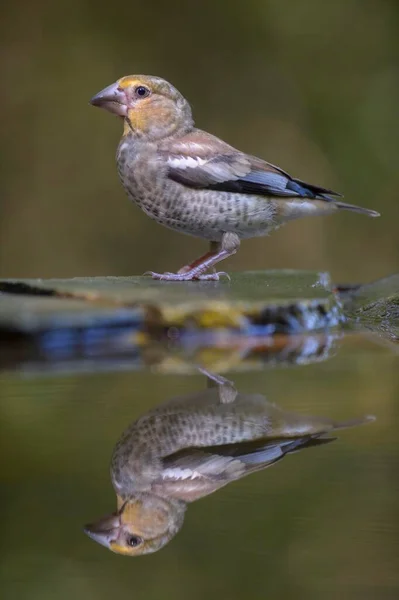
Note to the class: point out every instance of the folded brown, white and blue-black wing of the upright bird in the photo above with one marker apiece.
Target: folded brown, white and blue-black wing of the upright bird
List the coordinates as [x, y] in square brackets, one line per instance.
[201, 160]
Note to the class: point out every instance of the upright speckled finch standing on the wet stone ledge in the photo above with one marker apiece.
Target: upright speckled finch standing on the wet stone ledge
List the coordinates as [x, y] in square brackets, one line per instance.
[195, 183]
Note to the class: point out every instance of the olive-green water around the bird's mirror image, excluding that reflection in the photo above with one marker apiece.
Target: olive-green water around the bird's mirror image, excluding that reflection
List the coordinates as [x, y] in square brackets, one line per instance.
[320, 523]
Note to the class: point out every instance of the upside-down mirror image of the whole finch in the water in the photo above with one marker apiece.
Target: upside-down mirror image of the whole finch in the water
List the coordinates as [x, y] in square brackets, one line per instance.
[190, 447]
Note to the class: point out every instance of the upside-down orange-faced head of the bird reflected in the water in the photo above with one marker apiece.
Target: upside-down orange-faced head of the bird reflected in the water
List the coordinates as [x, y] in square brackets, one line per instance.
[141, 525]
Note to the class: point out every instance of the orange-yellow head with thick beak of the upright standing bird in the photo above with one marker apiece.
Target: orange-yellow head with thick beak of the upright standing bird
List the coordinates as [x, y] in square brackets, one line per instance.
[151, 107]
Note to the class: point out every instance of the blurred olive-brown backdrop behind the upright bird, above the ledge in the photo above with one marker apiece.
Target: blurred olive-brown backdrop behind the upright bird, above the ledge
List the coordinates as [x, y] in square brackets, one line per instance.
[311, 86]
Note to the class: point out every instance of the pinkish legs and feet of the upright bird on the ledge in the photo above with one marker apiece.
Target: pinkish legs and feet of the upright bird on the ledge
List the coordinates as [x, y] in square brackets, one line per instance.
[197, 270]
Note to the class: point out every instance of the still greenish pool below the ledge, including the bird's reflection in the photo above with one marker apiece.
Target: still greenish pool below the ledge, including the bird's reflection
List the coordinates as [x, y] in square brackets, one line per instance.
[255, 502]
